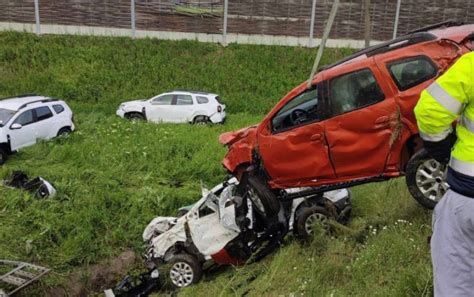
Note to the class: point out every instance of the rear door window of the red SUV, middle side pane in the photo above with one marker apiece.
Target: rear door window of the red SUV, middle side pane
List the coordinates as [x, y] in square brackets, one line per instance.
[353, 91]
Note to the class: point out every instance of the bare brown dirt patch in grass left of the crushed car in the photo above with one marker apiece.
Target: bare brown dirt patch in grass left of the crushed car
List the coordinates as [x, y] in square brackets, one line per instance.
[97, 277]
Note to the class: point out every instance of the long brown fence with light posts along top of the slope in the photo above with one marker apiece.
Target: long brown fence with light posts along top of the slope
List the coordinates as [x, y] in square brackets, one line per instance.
[254, 21]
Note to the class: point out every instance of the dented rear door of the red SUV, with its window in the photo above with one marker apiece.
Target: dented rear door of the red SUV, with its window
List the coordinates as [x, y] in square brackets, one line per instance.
[361, 128]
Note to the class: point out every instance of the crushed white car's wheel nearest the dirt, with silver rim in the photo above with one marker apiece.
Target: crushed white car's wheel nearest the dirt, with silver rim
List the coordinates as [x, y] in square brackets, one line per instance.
[184, 270]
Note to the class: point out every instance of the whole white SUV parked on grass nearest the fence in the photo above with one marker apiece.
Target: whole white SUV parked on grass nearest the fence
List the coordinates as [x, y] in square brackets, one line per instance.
[176, 107]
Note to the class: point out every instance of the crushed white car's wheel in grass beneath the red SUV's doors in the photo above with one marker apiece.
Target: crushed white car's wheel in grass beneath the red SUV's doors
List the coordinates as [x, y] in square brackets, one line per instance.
[306, 219]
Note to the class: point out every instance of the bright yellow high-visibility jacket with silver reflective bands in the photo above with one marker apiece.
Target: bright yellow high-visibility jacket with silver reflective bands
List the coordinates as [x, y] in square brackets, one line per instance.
[451, 98]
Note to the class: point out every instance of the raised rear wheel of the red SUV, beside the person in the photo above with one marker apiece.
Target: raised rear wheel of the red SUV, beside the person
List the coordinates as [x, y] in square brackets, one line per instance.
[426, 179]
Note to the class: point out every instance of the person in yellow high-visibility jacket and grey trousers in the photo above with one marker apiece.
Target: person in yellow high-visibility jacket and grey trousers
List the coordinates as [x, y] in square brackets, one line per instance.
[451, 98]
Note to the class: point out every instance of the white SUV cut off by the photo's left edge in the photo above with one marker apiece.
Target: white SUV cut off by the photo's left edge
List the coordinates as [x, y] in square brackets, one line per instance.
[28, 118]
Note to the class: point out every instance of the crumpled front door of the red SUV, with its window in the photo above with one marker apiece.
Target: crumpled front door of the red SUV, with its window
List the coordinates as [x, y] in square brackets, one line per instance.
[293, 145]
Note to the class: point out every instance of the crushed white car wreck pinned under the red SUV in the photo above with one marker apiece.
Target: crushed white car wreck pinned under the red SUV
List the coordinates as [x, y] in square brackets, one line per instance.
[225, 228]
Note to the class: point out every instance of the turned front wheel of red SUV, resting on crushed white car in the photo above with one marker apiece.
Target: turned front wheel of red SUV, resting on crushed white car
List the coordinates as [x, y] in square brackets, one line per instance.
[265, 201]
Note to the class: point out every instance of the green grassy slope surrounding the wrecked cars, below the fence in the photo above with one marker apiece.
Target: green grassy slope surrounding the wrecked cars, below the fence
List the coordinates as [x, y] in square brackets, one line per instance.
[114, 176]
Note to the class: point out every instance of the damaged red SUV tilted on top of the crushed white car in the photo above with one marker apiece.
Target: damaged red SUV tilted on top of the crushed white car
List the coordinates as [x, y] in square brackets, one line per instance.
[354, 124]
